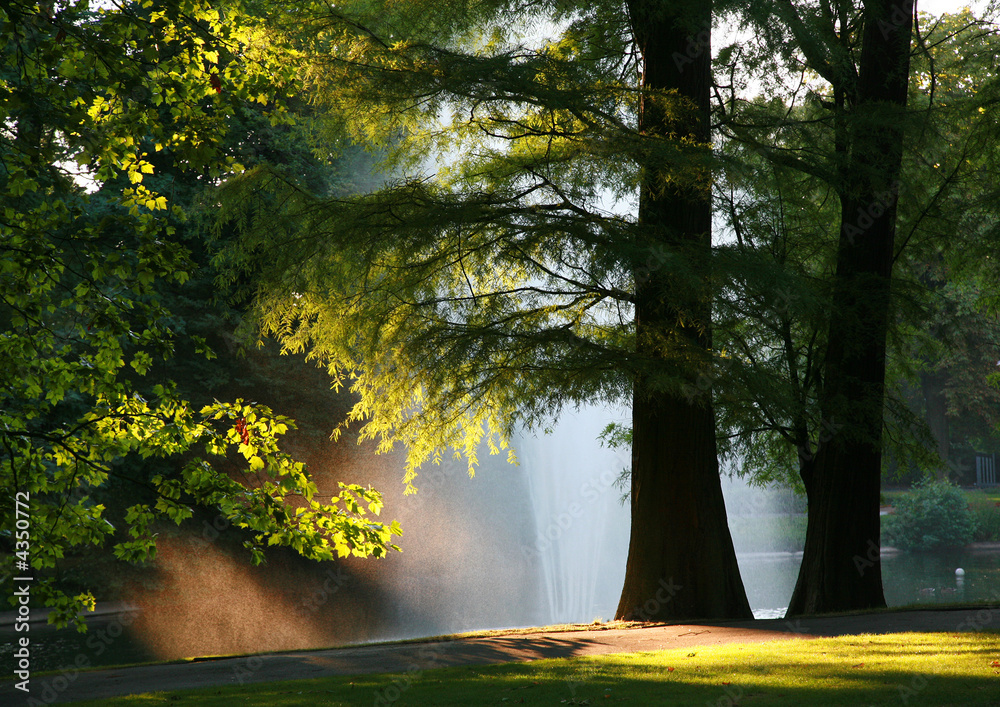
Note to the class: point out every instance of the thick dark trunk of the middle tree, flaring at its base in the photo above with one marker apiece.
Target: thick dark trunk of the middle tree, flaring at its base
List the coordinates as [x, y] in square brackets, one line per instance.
[681, 561]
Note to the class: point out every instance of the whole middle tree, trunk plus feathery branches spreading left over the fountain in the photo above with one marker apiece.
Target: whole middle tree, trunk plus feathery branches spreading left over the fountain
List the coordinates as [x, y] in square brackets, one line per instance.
[505, 287]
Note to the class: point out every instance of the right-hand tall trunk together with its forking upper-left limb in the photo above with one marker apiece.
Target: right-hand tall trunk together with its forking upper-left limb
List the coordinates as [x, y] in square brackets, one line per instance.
[862, 60]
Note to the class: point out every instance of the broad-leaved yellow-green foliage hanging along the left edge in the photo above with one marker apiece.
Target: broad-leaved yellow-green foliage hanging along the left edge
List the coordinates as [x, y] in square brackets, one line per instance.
[92, 99]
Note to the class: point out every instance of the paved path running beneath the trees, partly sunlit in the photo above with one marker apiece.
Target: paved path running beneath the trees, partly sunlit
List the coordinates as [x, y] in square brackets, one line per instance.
[77, 685]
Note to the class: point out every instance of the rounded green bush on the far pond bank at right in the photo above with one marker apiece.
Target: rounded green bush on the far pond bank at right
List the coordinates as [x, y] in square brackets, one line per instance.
[934, 515]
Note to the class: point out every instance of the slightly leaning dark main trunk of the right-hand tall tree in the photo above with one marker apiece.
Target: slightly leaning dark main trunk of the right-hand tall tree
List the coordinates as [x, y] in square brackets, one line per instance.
[840, 565]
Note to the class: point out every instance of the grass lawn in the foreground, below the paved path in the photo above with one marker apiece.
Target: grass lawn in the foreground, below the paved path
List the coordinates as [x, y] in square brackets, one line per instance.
[898, 669]
